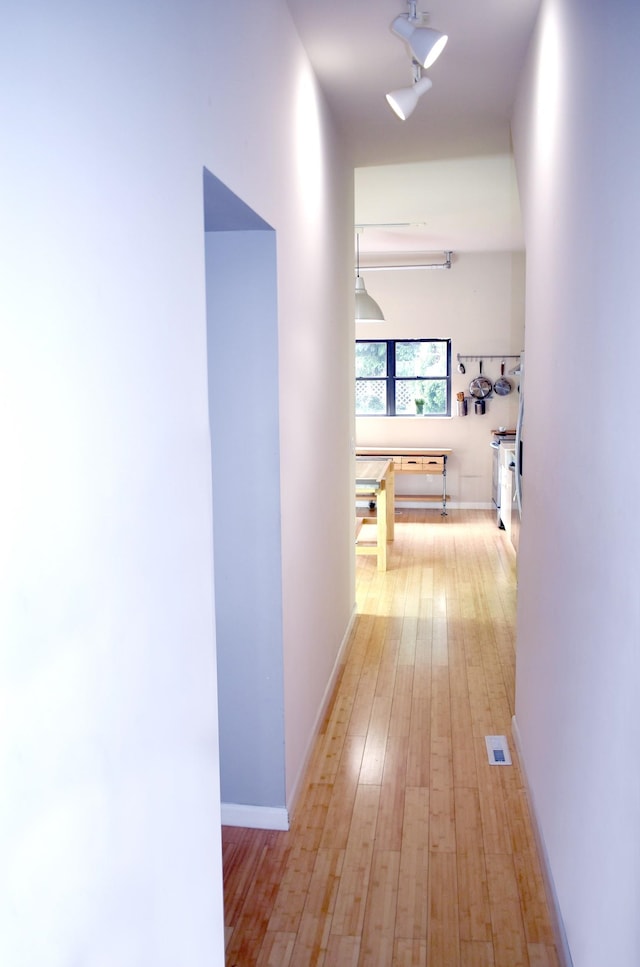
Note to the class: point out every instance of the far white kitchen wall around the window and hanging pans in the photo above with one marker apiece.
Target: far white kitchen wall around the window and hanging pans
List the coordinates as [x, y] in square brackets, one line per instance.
[479, 305]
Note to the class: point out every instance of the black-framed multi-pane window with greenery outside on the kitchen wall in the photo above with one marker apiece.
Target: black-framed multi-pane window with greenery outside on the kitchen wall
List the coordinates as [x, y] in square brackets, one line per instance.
[407, 377]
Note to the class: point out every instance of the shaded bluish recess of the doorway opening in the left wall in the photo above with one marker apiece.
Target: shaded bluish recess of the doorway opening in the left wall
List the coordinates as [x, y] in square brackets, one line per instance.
[242, 359]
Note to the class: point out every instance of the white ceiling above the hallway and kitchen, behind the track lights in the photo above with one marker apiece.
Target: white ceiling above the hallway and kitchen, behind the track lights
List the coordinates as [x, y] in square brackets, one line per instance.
[444, 178]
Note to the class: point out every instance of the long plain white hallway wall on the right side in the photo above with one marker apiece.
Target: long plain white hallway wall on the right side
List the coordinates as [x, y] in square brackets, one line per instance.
[577, 138]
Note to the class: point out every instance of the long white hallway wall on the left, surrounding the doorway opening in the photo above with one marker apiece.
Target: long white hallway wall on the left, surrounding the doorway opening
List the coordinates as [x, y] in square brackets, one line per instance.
[109, 818]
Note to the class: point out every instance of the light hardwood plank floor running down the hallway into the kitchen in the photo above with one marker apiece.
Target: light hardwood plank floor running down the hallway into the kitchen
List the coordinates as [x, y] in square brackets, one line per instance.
[407, 848]
